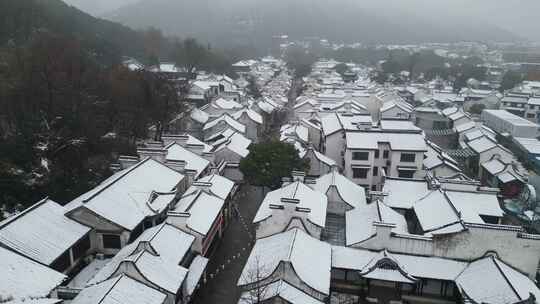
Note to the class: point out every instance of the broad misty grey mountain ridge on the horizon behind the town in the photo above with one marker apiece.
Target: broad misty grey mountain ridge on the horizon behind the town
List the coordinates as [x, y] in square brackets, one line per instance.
[342, 21]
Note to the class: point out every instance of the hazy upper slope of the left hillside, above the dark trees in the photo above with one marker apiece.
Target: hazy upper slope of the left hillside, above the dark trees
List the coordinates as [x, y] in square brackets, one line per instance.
[20, 19]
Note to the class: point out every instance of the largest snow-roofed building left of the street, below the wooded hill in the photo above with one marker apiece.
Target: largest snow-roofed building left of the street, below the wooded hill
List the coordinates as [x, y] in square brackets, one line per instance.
[141, 194]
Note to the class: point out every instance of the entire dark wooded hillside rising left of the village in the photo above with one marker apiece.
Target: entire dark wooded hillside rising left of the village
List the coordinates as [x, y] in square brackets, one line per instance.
[66, 105]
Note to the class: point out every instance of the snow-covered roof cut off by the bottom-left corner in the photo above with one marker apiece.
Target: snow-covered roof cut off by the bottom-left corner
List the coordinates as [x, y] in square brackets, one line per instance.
[23, 278]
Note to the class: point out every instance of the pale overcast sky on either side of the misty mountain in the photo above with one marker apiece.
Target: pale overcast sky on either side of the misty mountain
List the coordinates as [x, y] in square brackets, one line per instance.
[518, 16]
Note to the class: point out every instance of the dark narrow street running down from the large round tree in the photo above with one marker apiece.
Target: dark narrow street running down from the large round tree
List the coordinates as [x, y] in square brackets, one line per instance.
[222, 288]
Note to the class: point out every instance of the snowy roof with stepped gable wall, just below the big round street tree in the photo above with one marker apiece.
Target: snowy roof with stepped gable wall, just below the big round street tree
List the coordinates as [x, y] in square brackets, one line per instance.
[307, 198]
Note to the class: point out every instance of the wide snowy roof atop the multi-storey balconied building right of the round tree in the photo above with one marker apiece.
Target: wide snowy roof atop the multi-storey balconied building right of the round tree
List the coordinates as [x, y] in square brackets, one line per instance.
[398, 141]
